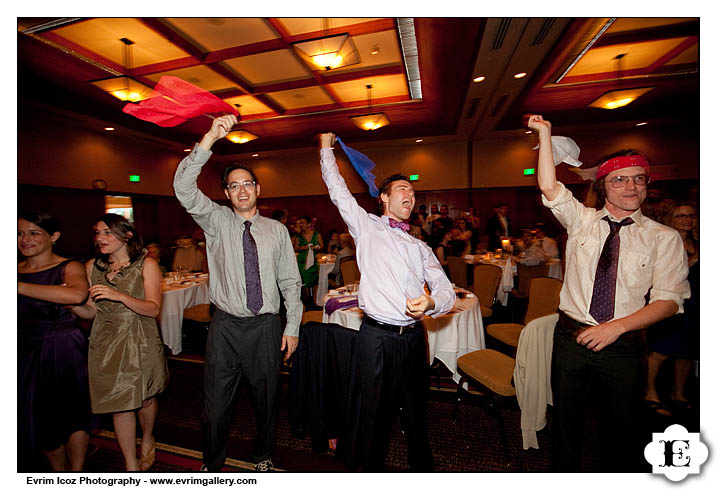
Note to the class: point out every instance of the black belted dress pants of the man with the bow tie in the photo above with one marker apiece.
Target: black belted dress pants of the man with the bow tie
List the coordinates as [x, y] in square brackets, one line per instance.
[392, 372]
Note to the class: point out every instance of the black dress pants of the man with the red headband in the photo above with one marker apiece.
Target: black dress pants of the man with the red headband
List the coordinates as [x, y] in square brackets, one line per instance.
[611, 378]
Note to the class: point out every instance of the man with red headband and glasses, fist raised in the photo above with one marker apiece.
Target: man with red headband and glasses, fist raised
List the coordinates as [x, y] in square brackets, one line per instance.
[614, 257]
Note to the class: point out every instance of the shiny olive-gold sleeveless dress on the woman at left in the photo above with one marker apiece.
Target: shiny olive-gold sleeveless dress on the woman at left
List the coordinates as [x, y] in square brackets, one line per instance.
[126, 358]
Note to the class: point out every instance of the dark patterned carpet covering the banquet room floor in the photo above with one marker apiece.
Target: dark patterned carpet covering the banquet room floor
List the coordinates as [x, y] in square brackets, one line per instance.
[471, 444]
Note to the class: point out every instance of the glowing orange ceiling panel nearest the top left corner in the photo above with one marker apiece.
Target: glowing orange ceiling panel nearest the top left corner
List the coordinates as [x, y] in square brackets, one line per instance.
[102, 36]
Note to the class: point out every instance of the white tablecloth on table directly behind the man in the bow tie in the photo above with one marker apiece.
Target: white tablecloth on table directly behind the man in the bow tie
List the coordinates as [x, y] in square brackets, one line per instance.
[449, 336]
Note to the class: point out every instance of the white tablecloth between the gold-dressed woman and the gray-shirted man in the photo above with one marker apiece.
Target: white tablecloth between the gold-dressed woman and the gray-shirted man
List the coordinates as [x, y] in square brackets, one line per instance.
[174, 301]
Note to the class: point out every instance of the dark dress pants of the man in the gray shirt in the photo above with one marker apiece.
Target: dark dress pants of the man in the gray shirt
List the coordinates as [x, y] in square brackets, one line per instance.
[240, 347]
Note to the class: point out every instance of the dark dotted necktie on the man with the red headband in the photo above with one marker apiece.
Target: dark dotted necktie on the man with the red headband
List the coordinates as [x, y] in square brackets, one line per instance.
[603, 299]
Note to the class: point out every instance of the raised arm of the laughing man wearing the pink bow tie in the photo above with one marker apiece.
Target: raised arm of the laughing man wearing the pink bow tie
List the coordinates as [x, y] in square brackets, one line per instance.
[353, 215]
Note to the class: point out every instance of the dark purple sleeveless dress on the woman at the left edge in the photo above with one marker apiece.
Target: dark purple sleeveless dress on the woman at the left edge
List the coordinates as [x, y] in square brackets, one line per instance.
[53, 399]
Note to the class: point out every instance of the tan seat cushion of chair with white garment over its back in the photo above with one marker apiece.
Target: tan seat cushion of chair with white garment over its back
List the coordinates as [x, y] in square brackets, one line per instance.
[490, 368]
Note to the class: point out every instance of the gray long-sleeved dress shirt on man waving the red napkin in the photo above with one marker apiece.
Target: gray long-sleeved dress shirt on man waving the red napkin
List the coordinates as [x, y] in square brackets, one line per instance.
[224, 229]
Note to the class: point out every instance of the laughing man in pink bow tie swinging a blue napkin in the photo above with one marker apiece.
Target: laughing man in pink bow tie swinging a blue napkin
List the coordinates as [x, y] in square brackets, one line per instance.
[392, 369]
